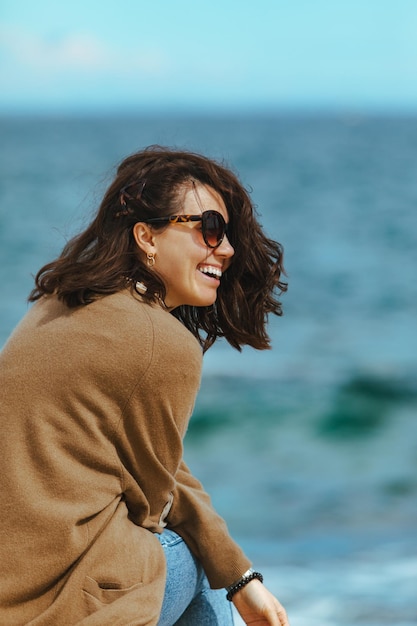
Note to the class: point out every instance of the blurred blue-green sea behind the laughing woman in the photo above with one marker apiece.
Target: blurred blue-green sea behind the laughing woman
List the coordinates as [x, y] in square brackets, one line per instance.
[309, 449]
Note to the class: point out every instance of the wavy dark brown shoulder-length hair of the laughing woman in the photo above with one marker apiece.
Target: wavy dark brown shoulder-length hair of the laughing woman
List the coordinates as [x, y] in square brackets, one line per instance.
[101, 259]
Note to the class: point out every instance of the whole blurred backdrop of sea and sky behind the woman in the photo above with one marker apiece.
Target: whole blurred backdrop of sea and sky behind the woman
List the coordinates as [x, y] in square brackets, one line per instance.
[309, 450]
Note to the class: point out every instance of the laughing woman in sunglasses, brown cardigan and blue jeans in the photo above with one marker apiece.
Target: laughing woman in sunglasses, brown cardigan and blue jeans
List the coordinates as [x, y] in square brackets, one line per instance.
[102, 523]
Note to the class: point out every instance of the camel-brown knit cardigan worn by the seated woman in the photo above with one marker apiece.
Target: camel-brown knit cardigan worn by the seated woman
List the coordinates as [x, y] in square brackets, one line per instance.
[95, 402]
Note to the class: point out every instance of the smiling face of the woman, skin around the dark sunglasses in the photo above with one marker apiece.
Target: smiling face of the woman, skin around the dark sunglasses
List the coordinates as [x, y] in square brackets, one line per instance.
[190, 270]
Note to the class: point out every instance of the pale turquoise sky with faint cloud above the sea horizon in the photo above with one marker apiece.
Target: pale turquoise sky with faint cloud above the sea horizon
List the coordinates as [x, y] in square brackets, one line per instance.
[156, 55]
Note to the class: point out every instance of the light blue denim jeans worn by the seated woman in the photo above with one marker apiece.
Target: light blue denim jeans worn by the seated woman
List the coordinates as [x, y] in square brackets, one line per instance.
[188, 599]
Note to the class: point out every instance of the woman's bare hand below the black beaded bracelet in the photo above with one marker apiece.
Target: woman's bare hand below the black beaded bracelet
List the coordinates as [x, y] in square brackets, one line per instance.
[258, 607]
